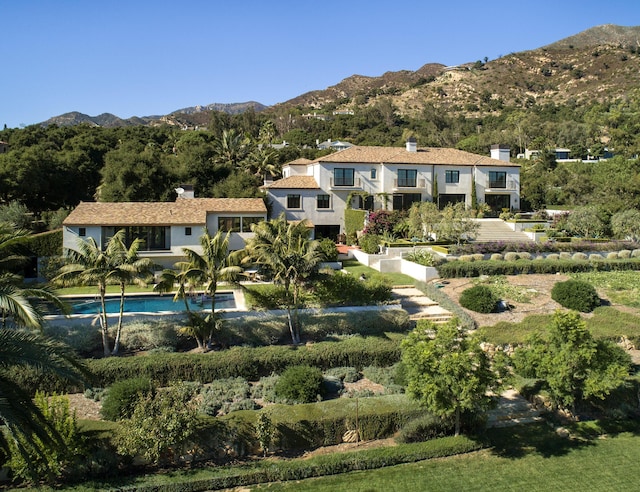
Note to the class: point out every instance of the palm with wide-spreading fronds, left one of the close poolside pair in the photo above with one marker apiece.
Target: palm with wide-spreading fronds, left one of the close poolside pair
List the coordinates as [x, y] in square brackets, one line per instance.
[90, 265]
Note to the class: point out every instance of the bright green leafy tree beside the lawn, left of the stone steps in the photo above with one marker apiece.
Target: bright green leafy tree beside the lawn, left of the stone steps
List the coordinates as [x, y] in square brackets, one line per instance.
[447, 371]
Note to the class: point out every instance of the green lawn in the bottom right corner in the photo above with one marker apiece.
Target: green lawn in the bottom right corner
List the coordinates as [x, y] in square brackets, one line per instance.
[530, 458]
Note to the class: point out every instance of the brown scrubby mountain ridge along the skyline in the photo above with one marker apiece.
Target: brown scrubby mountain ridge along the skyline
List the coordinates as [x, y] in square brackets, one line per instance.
[599, 64]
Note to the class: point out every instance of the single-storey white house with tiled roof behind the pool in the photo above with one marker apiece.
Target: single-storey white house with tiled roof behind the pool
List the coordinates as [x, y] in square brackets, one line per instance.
[165, 227]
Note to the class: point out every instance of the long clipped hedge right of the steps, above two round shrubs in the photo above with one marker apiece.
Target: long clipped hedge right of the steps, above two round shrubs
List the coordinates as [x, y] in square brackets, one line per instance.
[457, 268]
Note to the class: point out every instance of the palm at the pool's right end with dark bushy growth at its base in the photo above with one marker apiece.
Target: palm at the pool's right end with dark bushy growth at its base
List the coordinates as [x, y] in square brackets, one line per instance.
[208, 268]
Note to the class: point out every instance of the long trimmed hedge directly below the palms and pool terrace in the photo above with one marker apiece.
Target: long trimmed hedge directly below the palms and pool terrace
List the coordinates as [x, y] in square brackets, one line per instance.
[246, 362]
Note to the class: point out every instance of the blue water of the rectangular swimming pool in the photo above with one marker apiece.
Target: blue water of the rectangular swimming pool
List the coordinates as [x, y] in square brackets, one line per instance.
[152, 304]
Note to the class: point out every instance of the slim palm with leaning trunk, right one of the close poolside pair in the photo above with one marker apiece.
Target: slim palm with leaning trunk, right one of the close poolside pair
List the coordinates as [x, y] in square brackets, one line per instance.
[130, 269]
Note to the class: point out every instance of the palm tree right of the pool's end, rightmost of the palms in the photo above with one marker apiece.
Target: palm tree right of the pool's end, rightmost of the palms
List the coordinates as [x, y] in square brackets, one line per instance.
[286, 251]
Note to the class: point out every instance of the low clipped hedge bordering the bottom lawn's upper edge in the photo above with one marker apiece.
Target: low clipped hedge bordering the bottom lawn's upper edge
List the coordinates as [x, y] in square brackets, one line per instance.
[332, 464]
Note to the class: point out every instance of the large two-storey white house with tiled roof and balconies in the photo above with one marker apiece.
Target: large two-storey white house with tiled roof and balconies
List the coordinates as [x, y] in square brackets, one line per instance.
[373, 178]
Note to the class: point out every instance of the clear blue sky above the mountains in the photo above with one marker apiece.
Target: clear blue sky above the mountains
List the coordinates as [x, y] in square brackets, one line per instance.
[144, 57]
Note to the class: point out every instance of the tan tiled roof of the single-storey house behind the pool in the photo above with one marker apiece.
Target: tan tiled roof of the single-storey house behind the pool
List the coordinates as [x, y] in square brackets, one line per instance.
[182, 211]
